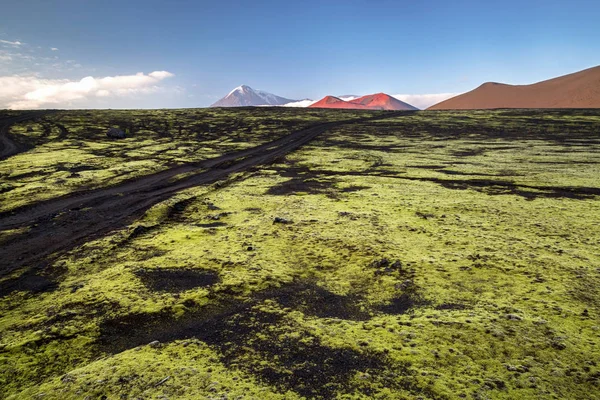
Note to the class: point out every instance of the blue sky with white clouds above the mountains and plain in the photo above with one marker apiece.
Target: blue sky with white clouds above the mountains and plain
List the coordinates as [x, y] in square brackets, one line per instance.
[164, 54]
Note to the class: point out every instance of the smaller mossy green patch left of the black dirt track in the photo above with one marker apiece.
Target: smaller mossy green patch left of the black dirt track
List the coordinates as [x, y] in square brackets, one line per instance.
[70, 150]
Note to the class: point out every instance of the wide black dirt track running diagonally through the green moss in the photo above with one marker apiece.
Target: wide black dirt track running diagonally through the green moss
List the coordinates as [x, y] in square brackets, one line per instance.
[60, 224]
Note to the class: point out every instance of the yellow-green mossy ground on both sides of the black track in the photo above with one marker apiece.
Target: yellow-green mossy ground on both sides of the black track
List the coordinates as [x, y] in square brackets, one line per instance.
[434, 255]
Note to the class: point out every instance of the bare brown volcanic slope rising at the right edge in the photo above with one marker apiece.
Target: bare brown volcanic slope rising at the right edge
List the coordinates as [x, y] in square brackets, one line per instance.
[578, 90]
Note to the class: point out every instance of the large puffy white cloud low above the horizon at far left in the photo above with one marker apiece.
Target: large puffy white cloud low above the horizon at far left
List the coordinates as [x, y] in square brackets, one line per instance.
[30, 92]
